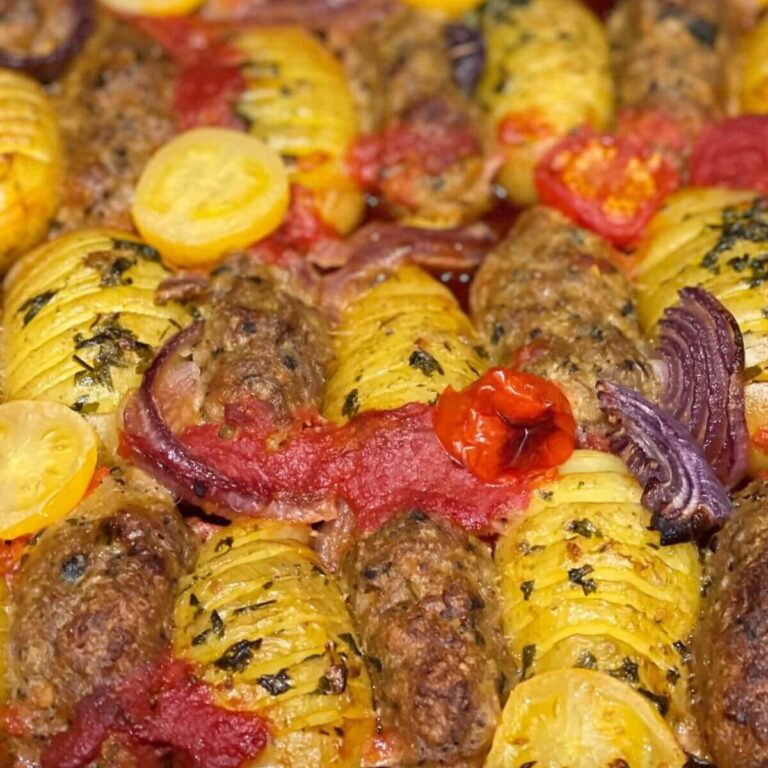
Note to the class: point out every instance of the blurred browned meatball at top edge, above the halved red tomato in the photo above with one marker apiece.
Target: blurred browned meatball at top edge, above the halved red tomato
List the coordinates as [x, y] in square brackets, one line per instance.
[666, 58]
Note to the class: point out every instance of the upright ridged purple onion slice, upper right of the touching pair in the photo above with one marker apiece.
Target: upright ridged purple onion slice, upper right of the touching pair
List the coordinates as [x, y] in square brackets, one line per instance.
[702, 346]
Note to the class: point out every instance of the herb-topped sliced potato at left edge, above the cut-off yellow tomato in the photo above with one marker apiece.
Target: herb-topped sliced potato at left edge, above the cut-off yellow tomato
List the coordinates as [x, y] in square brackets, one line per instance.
[81, 323]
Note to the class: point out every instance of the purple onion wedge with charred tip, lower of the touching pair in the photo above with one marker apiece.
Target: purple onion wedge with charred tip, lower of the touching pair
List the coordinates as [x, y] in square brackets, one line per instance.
[679, 486]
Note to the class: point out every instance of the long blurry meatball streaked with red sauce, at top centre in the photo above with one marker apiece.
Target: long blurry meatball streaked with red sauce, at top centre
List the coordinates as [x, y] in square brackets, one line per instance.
[402, 75]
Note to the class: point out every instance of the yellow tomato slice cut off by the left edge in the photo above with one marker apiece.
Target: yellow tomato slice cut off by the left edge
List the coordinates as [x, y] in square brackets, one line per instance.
[48, 458]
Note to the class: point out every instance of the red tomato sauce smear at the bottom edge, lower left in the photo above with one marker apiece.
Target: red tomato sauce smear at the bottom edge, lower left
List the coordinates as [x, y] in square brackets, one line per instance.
[163, 708]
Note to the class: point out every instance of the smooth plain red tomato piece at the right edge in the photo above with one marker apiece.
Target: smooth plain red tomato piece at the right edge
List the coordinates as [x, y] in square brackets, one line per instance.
[733, 153]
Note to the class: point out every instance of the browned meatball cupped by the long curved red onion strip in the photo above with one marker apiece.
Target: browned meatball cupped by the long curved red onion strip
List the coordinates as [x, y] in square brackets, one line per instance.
[261, 342]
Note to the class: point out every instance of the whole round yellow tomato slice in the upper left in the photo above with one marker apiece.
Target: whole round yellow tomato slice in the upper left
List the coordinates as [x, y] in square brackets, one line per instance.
[209, 191]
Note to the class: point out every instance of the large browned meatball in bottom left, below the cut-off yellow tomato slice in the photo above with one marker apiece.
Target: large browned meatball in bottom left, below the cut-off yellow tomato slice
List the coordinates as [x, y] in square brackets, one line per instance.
[93, 599]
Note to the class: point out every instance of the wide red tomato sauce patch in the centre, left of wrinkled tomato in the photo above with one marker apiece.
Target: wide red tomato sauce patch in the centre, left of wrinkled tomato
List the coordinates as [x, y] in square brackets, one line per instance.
[381, 462]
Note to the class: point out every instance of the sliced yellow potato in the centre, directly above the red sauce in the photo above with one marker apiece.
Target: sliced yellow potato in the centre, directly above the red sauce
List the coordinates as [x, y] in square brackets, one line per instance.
[405, 340]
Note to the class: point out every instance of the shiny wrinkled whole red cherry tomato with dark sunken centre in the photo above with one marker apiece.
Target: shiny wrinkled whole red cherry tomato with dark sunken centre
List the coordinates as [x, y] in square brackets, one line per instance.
[506, 425]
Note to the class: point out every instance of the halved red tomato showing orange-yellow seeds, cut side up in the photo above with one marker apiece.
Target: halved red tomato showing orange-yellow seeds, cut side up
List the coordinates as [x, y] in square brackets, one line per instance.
[610, 184]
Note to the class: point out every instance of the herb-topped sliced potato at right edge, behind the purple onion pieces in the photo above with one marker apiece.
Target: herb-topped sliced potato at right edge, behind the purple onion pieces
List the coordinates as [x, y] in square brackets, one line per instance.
[716, 239]
